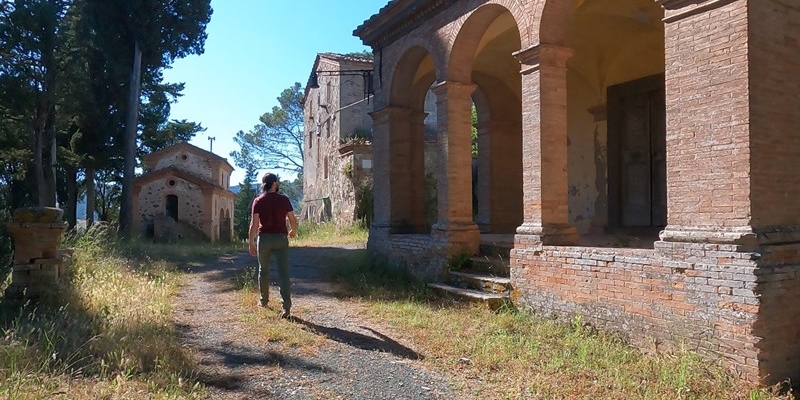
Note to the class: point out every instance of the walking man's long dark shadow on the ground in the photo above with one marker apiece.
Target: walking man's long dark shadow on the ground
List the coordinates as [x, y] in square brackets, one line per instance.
[382, 343]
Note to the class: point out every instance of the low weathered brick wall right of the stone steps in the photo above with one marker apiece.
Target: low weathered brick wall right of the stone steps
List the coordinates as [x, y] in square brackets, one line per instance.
[711, 297]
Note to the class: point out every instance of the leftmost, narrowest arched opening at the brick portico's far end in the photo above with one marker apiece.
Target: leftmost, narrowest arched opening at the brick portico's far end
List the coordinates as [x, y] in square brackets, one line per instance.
[412, 144]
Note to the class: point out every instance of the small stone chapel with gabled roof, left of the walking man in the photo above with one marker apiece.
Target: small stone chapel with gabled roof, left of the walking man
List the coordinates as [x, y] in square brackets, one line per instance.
[184, 193]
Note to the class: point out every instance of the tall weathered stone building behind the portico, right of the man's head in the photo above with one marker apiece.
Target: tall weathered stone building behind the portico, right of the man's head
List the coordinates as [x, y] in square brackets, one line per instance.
[337, 162]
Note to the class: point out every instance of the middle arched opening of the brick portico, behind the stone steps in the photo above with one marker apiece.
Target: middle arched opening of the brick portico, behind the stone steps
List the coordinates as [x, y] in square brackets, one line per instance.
[483, 55]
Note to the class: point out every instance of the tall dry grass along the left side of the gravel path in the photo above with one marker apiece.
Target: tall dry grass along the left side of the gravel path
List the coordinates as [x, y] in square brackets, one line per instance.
[108, 333]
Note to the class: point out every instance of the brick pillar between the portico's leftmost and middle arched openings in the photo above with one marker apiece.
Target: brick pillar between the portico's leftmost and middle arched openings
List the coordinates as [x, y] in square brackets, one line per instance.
[455, 224]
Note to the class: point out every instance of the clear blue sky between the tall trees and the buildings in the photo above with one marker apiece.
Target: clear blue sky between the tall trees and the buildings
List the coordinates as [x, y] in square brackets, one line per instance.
[255, 49]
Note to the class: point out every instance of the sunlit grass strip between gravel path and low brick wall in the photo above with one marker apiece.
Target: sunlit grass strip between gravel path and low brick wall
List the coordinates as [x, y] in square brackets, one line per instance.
[512, 354]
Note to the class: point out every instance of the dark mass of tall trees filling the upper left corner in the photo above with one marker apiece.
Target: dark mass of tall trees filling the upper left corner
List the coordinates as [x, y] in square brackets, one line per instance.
[66, 68]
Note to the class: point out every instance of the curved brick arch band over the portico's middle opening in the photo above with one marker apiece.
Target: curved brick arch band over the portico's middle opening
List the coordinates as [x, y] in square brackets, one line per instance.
[469, 32]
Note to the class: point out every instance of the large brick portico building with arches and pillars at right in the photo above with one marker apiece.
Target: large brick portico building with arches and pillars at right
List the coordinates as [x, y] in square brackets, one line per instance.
[639, 155]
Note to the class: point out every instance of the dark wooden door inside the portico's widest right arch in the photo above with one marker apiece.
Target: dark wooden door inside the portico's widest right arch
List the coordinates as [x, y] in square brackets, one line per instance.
[637, 171]
